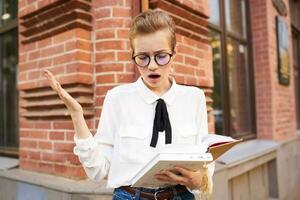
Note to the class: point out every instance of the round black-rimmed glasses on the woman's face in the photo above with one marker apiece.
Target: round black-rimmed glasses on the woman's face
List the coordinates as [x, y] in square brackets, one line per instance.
[161, 59]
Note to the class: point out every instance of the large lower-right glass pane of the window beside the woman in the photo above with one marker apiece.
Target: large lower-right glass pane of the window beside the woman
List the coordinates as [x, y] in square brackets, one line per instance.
[239, 92]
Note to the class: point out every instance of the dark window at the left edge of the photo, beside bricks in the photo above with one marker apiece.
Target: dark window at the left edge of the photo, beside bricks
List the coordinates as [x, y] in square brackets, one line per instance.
[8, 77]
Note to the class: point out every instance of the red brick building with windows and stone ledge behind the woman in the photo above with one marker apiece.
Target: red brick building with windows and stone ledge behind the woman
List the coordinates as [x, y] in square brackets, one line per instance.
[245, 55]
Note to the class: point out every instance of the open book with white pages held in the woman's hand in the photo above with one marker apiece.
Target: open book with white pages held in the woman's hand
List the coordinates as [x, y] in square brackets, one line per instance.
[192, 157]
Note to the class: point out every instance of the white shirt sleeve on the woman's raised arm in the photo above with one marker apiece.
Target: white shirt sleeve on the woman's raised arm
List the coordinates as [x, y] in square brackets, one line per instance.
[95, 152]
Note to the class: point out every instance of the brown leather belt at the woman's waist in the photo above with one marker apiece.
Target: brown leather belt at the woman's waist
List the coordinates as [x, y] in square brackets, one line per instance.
[159, 195]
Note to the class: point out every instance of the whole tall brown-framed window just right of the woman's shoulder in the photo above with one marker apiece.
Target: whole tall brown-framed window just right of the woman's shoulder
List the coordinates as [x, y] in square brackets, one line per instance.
[233, 94]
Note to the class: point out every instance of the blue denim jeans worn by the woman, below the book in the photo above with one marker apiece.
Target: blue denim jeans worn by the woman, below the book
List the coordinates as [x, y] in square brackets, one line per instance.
[120, 194]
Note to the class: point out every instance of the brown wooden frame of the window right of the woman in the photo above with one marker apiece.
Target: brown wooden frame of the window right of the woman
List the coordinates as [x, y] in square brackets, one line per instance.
[224, 34]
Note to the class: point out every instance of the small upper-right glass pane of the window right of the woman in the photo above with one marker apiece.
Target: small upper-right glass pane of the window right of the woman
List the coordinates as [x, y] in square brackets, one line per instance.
[235, 16]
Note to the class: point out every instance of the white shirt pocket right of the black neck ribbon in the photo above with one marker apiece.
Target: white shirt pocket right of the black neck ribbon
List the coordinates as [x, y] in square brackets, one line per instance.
[187, 133]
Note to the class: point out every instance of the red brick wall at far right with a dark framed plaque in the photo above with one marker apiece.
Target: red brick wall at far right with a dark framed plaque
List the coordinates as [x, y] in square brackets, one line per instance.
[275, 103]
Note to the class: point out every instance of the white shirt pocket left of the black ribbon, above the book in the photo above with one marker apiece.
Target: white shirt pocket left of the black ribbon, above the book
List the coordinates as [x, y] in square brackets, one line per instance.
[135, 144]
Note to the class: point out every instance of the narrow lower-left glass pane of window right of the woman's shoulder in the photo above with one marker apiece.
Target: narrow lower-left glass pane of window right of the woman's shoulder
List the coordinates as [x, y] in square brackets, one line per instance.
[217, 98]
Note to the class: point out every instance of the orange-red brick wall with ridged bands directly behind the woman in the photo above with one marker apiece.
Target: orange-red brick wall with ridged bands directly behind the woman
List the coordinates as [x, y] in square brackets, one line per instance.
[88, 50]
